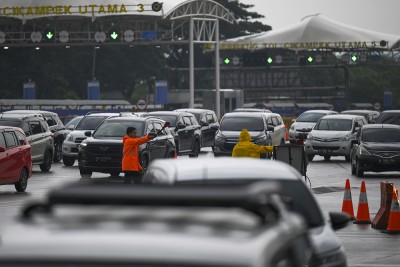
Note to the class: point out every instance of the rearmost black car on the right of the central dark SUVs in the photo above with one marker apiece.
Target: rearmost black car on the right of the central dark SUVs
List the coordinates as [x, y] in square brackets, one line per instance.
[209, 124]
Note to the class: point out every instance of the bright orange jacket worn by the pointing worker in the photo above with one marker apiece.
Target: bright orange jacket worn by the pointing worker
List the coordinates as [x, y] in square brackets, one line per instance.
[130, 153]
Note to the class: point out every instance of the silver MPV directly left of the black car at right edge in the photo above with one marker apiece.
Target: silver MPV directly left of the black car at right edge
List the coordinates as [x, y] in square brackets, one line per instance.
[332, 136]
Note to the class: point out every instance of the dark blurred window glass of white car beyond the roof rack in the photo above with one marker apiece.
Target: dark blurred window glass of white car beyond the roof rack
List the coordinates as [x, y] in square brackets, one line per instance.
[296, 194]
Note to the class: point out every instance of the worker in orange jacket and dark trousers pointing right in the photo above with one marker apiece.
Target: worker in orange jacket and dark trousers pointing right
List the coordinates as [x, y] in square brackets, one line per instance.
[130, 155]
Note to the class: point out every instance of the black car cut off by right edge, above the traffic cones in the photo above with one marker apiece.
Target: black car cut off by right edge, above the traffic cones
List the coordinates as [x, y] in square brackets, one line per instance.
[376, 149]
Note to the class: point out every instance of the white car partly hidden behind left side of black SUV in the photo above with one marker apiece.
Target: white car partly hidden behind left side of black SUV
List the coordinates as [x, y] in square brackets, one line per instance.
[88, 123]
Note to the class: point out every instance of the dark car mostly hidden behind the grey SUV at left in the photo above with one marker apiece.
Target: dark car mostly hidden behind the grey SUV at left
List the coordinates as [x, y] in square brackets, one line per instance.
[56, 127]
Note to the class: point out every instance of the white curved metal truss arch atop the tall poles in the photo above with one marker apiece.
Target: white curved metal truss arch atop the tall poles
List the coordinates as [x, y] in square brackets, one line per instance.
[201, 8]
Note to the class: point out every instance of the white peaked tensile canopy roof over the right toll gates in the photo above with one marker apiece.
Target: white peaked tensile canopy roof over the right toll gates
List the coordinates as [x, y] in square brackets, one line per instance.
[316, 32]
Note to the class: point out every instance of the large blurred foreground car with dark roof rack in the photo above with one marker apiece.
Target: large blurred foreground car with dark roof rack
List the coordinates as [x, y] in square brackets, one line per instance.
[119, 226]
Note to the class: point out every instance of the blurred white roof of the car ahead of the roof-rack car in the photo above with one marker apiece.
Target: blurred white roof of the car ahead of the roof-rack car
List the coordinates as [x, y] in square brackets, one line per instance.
[224, 168]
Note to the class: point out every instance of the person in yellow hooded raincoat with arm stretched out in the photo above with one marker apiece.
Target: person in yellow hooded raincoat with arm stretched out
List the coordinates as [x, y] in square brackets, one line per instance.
[245, 148]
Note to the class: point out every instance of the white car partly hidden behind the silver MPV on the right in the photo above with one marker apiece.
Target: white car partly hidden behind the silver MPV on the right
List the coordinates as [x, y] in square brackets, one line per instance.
[303, 125]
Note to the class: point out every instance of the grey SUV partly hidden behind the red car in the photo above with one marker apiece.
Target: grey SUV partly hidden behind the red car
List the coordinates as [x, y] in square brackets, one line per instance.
[38, 134]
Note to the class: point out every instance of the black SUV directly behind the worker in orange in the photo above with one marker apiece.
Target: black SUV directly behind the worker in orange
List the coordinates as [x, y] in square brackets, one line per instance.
[102, 151]
